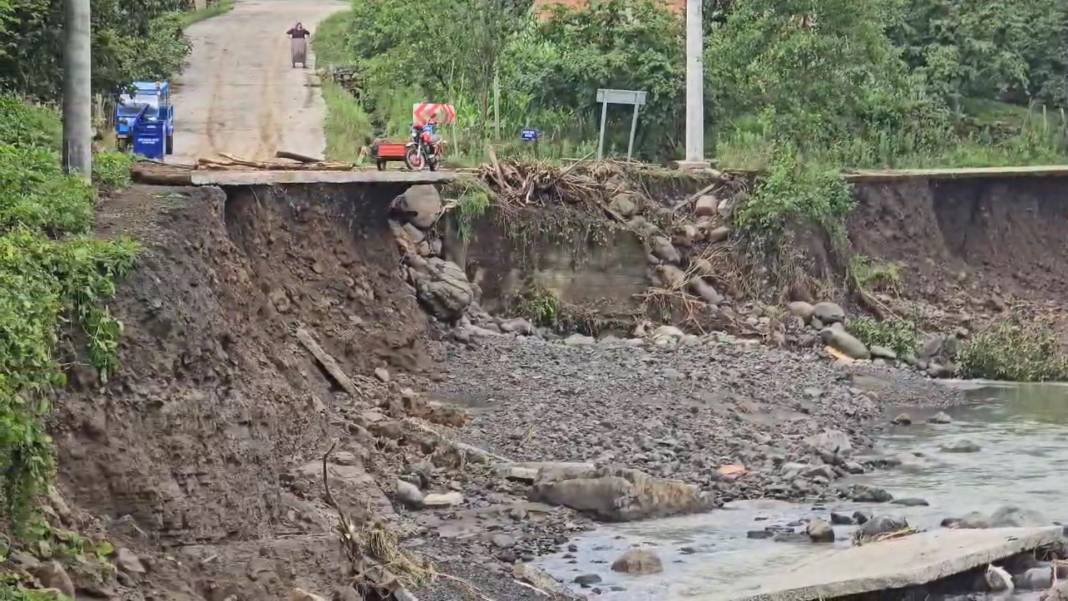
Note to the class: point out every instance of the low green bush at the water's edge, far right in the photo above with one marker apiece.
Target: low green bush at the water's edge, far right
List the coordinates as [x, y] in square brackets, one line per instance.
[1015, 352]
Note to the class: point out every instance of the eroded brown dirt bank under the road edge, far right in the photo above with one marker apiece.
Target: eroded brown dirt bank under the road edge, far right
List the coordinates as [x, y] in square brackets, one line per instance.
[971, 249]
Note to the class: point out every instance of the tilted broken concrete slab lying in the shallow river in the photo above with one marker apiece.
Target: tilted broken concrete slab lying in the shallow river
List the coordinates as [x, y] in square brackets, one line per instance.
[916, 560]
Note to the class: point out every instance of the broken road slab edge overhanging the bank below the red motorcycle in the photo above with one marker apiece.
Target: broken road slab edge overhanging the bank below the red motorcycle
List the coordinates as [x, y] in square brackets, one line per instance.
[264, 178]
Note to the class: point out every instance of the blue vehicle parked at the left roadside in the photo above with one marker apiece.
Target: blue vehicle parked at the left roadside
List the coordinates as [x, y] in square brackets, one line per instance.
[147, 108]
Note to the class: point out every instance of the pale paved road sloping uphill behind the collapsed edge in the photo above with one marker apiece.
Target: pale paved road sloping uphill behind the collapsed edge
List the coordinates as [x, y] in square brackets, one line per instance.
[240, 94]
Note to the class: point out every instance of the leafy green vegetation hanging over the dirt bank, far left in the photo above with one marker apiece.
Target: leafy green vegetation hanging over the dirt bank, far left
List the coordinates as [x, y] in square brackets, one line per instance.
[53, 278]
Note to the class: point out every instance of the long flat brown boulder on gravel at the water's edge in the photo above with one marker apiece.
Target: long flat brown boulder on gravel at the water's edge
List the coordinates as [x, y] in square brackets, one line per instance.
[621, 495]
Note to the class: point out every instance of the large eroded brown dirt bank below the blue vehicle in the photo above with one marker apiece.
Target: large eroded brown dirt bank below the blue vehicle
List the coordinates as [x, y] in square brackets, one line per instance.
[206, 445]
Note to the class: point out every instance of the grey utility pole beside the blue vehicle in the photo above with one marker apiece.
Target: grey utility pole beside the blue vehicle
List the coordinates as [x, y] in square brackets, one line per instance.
[77, 90]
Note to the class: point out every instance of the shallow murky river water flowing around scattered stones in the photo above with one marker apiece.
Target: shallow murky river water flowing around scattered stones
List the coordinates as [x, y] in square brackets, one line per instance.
[1023, 431]
